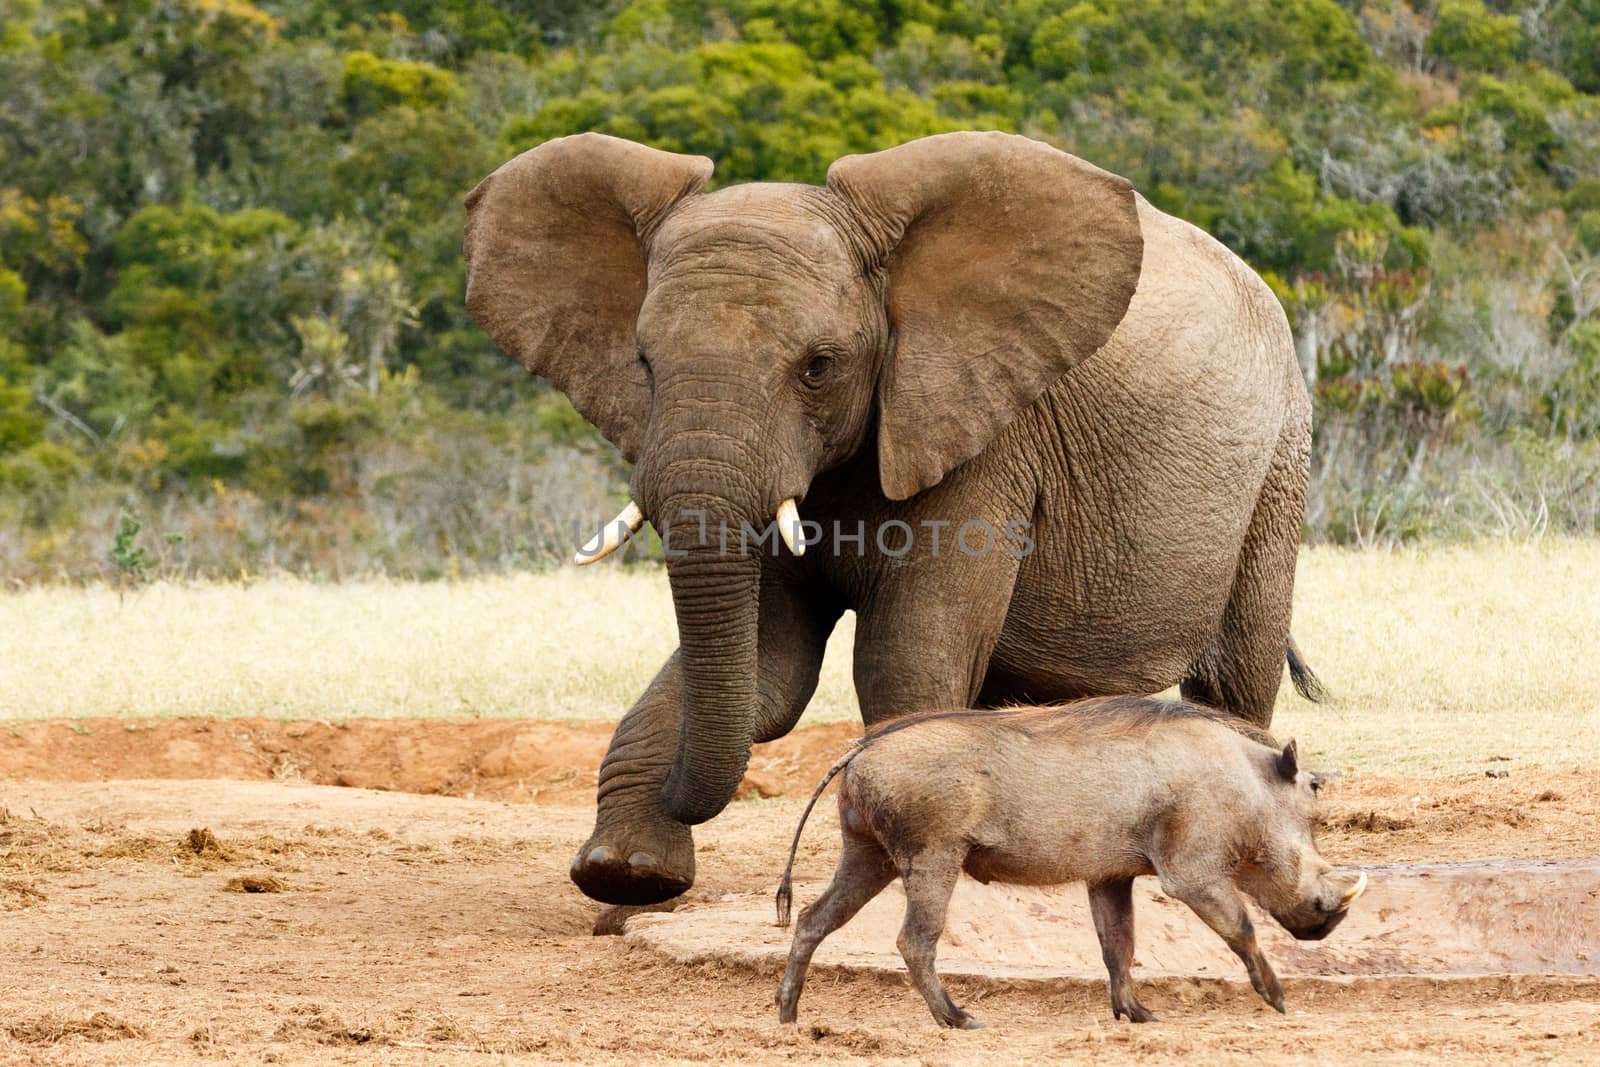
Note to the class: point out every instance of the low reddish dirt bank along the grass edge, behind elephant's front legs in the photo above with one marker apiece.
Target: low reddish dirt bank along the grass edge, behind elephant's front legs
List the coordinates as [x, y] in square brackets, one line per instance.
[481, 759]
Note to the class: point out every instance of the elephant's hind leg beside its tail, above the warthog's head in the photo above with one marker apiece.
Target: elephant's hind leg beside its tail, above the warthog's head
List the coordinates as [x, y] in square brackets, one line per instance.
[1244, 668]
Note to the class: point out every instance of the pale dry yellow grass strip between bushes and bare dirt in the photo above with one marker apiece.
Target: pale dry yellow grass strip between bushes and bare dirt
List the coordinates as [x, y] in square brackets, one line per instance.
[1439, 660]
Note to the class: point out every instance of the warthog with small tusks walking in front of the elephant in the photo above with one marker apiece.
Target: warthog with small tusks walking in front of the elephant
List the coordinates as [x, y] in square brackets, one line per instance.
[1102, 791]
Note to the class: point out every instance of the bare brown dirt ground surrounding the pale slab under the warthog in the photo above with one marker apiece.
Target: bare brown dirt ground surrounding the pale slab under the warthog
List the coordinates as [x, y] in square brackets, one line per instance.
[273, 919]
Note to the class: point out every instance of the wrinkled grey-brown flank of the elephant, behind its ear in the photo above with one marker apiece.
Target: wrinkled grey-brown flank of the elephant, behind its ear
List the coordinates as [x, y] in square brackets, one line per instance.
[1151, 458]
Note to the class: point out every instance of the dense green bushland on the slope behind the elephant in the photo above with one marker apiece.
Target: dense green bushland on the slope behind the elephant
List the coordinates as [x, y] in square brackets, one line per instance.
[231, 289]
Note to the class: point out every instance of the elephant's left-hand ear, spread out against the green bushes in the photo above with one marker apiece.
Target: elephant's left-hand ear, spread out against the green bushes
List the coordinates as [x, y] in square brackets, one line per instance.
[556, 266]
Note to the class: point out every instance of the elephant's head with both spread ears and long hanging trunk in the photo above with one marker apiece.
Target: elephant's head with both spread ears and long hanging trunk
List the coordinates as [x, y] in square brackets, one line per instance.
[735, 345]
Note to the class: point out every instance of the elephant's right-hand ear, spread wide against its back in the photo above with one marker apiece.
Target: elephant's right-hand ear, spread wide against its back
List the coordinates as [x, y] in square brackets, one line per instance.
[1009, 263]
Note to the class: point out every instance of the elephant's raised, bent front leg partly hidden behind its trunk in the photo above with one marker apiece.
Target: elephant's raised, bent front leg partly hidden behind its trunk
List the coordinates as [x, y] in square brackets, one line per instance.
[639, 853]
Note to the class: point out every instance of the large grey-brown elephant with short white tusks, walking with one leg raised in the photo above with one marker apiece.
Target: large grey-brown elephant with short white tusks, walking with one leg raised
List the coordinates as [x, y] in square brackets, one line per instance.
[966, 332]
